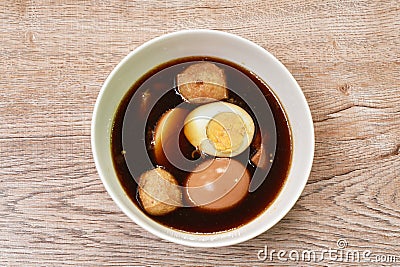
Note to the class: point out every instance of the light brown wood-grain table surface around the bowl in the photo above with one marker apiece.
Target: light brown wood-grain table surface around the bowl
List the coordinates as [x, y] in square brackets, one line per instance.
[55, 55]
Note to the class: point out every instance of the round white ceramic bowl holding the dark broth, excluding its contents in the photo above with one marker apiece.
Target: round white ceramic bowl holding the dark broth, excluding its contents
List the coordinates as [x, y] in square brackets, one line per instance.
[221, 45]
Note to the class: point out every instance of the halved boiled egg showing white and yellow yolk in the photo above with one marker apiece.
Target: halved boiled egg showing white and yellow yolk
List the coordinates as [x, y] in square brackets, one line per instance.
[220, 129]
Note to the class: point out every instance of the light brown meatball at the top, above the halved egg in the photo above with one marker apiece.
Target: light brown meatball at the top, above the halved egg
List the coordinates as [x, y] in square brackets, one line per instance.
[202, 83]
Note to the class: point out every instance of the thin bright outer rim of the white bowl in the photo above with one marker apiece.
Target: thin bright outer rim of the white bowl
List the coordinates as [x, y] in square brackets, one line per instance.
[154, 227]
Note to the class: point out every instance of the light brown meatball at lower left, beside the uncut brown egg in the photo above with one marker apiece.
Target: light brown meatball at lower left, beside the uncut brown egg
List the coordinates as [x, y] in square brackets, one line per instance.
[159, 192]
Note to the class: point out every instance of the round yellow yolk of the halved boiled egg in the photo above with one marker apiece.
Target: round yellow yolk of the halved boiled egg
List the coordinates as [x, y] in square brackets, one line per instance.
[226, 131]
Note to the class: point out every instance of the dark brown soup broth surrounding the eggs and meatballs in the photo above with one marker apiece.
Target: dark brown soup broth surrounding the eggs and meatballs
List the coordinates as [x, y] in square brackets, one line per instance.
[154, 94]
